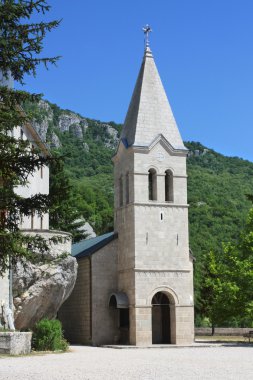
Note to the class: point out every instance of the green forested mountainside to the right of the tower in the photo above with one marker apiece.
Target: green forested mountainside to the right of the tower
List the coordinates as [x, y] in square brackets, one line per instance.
[217, 186]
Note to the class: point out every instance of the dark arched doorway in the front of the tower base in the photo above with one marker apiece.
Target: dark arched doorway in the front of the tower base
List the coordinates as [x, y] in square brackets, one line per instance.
[161, 319]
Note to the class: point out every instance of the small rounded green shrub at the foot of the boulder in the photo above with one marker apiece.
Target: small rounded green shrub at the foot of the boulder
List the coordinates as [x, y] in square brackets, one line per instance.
[48, 336]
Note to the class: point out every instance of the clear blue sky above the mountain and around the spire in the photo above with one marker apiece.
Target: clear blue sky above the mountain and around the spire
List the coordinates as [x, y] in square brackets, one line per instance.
[203, 50]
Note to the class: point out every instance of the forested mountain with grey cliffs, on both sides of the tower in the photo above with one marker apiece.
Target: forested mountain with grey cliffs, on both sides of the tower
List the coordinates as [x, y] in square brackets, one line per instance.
[217, 185]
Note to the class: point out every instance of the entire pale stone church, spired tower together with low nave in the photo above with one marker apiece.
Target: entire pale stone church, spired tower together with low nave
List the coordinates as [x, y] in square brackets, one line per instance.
[135, 285]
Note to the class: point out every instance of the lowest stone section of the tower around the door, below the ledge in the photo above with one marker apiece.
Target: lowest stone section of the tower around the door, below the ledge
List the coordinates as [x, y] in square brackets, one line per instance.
[179, 331]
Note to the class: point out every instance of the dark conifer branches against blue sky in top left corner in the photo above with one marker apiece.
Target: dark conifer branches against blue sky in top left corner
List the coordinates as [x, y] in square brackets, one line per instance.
[21, 41]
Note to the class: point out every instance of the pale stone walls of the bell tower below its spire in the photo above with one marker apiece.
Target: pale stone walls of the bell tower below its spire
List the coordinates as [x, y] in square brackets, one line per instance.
[153, 241]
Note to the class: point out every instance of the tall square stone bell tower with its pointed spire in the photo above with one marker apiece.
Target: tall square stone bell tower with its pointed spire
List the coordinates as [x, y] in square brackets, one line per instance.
[151, 217]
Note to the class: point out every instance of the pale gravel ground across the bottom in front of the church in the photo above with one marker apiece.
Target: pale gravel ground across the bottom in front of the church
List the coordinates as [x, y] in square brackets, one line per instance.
[84, 363]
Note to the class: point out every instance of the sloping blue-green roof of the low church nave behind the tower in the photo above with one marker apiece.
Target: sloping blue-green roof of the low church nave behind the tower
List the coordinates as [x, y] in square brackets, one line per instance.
[89, 246]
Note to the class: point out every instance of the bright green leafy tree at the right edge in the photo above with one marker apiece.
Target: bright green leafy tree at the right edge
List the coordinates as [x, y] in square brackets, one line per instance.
[227, 288]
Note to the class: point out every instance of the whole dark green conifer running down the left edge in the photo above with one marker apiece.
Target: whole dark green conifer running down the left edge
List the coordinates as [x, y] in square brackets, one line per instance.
[21, 42]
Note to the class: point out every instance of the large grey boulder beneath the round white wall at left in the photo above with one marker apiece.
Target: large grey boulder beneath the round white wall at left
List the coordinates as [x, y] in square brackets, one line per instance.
[40, 288]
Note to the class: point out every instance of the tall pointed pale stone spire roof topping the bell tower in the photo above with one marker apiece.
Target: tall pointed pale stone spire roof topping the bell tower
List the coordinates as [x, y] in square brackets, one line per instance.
[149, 112]
